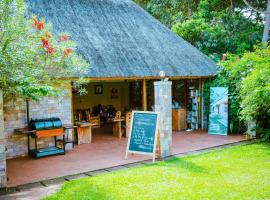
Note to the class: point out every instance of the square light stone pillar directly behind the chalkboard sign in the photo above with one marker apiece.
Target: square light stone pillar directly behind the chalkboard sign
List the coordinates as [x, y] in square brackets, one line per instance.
[163, 105]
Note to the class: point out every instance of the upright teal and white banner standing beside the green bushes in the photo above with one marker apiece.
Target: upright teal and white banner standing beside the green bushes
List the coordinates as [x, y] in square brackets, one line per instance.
[218, 115]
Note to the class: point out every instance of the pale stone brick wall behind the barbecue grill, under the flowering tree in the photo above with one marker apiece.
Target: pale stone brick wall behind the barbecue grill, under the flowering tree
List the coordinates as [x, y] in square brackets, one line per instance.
[15, 117]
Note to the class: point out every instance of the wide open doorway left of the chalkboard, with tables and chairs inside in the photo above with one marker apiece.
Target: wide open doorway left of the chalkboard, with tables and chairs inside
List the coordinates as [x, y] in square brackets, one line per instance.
[105, 109]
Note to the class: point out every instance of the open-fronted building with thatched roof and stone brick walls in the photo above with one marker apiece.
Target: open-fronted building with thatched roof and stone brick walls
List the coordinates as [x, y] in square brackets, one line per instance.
[127, 49]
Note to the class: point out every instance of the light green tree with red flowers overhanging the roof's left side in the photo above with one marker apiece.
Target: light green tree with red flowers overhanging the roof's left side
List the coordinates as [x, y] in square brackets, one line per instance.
[33, 62]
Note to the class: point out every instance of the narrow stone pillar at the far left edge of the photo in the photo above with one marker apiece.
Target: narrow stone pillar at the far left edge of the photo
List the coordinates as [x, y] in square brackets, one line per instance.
[3, 177]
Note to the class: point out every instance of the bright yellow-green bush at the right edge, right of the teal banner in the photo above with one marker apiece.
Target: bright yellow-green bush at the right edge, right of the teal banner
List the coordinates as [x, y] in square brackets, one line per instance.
[255, 90]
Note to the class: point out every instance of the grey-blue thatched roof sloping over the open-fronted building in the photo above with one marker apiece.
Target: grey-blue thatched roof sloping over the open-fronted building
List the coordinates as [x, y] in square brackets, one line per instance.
[120, 39]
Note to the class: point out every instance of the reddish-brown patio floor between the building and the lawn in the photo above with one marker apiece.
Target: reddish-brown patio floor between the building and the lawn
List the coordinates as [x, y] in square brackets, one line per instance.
[104, 151]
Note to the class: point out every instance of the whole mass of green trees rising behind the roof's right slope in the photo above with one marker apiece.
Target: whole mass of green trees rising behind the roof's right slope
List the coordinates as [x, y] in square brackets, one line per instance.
[214, 26]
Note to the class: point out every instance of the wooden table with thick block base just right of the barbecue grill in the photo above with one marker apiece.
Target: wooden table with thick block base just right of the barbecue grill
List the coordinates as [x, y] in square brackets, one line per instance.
[84, 132]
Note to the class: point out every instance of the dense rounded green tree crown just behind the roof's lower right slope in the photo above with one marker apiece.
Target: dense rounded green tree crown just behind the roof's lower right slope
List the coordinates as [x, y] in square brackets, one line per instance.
[216, 32]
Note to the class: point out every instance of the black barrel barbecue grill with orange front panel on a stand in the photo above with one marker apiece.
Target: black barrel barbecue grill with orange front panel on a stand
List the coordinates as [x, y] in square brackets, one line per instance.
[41, 128]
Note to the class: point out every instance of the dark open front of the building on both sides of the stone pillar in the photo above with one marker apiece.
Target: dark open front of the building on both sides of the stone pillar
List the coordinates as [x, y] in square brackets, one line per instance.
[104, 99]
